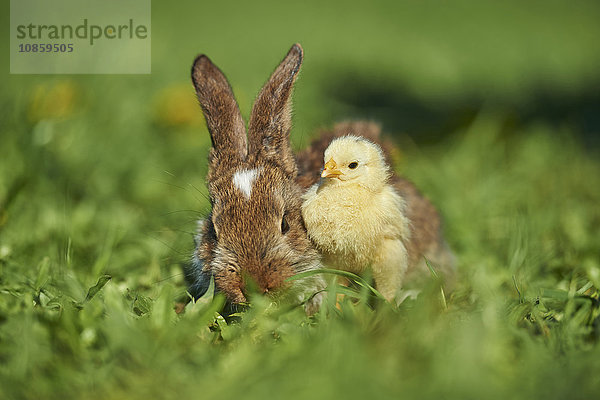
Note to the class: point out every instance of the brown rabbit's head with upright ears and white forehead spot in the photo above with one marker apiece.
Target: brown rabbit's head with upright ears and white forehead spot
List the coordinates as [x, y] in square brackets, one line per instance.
[254, 235]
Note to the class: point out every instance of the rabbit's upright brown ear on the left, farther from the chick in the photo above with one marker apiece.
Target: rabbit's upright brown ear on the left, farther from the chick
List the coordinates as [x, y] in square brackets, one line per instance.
[222, 114]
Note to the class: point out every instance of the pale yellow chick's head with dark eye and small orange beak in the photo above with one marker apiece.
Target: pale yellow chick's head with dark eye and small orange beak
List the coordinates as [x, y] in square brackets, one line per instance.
[355, 160]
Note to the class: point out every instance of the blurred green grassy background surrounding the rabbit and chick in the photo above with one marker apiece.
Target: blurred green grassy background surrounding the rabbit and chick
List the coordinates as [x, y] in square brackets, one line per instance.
[495, 107]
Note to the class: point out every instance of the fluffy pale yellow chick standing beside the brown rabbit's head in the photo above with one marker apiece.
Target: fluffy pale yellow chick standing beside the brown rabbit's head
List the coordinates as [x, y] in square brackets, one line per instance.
[355, 217]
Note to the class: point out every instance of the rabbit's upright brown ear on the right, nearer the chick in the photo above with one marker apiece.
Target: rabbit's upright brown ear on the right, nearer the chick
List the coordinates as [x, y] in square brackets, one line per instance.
[270, 121]
